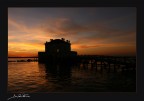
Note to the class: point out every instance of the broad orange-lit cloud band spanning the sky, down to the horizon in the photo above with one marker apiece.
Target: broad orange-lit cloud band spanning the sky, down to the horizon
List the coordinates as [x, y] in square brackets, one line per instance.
[85, 38]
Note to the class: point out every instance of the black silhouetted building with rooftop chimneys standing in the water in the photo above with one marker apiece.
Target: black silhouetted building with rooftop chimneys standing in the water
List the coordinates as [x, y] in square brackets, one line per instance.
[57, 50]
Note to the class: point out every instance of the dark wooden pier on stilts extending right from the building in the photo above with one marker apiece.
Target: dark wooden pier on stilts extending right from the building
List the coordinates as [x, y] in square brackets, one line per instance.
[107, 62]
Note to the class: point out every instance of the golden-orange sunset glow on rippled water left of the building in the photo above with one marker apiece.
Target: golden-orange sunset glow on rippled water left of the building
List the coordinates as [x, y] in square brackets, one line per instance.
[25, 76]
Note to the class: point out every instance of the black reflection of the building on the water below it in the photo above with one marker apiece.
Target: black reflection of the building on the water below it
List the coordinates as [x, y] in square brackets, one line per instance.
[58, 73]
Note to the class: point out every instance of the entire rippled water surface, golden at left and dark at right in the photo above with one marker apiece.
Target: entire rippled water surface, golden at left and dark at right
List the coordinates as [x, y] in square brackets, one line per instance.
[34, 77]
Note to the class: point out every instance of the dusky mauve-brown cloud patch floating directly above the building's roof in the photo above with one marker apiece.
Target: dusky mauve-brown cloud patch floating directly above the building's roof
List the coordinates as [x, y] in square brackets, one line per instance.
[62, 26]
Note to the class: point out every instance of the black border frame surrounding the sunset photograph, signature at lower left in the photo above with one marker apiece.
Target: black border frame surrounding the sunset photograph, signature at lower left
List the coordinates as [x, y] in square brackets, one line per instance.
[72, 96]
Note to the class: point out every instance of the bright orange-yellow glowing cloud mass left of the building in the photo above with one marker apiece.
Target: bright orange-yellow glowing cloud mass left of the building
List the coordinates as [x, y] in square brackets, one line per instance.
[23, 41]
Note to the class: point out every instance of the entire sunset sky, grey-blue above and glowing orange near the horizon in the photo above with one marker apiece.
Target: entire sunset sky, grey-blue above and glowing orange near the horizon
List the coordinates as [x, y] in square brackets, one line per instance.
[91, 30]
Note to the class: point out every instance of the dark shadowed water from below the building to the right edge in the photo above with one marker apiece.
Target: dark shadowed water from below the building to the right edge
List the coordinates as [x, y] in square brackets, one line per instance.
[79, 78]
